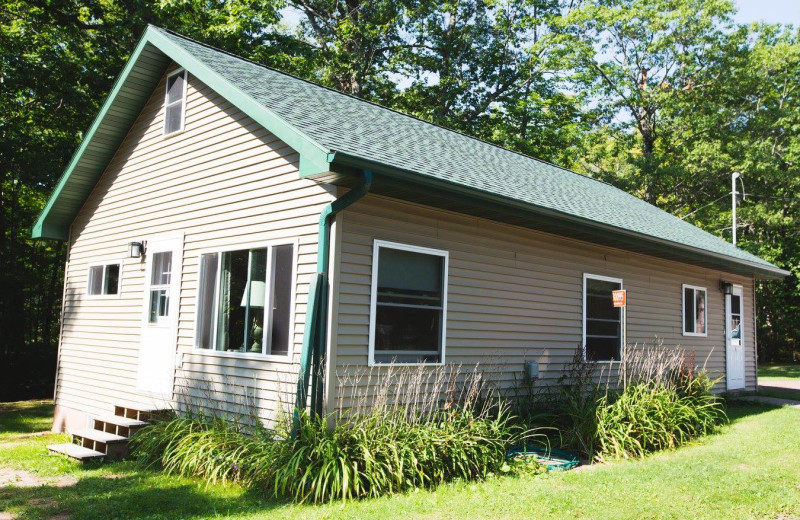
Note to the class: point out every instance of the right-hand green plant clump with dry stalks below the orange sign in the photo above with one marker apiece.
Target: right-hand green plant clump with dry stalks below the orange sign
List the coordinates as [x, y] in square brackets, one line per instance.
[656, 399]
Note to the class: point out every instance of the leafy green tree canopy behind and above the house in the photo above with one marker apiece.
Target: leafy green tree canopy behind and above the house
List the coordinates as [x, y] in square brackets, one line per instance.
[663, 98]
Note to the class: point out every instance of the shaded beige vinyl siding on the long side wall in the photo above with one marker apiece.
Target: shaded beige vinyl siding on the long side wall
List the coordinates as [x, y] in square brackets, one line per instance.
[515, 294]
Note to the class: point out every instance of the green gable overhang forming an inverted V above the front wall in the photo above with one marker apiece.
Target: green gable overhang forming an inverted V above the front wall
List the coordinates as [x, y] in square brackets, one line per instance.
[128, 96]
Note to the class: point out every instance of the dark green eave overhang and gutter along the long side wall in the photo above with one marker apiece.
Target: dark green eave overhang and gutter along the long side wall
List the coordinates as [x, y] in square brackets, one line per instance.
[406, 185]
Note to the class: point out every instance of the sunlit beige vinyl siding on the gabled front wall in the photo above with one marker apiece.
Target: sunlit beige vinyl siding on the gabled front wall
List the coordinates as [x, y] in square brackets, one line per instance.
[223, 182]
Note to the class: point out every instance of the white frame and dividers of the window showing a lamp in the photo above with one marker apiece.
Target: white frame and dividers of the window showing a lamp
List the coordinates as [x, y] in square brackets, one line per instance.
[266, 244]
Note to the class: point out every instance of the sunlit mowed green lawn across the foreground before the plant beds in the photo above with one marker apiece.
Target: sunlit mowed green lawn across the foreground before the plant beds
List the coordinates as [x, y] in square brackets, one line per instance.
[750, 470]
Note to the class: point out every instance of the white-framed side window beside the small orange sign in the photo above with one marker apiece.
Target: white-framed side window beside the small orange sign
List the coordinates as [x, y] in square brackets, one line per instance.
[602, 322]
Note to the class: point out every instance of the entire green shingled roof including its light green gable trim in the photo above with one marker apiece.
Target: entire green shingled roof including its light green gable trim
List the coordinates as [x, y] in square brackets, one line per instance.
[333, 132]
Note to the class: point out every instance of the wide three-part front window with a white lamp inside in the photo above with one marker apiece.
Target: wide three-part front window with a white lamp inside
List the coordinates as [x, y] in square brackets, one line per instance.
[244, 300]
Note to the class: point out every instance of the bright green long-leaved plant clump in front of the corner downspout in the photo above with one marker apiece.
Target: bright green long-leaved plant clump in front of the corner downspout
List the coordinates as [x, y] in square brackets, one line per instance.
[385, 452]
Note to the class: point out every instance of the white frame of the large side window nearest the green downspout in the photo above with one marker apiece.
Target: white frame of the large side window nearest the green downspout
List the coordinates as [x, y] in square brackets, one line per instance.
[374, 297]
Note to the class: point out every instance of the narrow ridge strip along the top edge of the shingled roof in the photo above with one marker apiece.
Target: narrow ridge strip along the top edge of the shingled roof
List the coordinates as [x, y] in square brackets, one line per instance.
[383, 107]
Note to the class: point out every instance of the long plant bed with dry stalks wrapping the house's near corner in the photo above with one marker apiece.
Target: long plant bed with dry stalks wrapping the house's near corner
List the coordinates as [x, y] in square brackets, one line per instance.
[421, 428]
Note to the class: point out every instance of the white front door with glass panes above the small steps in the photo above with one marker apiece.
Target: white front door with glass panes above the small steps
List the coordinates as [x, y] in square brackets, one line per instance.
[159, 326]
